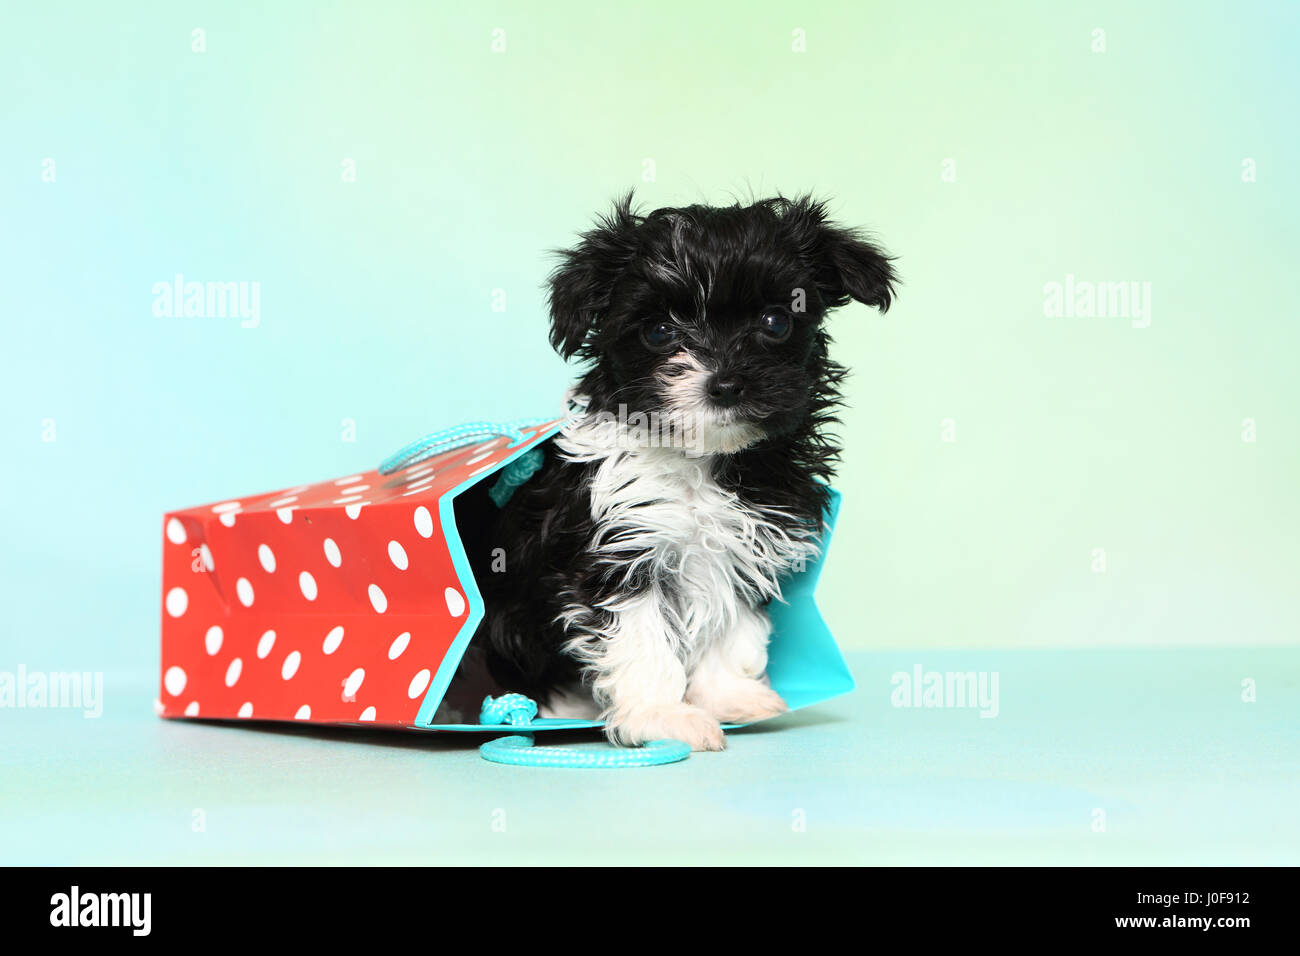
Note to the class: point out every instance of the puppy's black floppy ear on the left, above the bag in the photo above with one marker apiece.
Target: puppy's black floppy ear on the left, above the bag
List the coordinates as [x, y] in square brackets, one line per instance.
[584, 282]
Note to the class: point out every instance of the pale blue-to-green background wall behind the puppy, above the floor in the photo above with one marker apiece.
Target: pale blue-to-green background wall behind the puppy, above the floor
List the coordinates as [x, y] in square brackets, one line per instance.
[378, 296]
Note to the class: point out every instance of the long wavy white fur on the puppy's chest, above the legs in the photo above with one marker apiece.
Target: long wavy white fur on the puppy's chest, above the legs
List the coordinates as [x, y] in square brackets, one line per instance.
[661, 517]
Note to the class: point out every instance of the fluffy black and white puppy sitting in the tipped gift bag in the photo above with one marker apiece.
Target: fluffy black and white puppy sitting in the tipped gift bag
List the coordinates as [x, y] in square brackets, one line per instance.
[691, 479]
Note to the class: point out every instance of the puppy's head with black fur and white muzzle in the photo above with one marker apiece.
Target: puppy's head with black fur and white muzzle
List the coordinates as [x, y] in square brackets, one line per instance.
[712, 317]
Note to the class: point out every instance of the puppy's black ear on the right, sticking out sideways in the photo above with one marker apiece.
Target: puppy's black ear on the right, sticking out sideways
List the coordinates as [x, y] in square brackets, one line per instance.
[847, 265]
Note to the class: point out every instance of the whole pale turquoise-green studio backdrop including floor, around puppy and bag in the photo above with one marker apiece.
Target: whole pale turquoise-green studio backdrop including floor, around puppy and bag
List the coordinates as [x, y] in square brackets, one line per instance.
[393, 175]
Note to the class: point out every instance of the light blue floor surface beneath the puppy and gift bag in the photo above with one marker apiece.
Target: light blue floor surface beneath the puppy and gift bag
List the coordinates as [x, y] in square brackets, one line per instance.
[1094, 758]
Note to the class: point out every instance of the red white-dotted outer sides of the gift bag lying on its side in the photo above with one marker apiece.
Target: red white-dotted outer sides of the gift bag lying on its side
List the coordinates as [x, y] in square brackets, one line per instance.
[331, 603]
